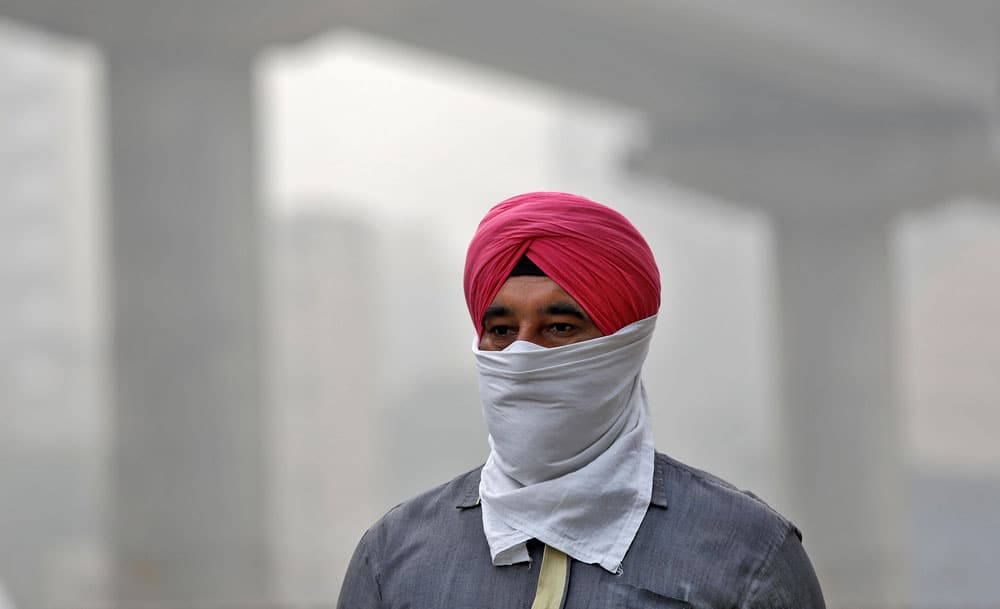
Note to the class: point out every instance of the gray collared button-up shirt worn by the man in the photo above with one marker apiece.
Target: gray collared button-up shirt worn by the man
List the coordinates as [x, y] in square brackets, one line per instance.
[702, 544]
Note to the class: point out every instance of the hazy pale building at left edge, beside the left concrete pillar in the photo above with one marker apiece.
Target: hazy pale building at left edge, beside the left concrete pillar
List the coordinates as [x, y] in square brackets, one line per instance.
[53, 438]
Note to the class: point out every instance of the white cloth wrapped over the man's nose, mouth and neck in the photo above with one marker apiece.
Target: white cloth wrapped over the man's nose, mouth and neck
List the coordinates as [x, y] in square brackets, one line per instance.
[571, 449]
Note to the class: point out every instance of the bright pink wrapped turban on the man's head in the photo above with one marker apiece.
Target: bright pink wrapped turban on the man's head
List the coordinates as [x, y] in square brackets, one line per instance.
[591, 251]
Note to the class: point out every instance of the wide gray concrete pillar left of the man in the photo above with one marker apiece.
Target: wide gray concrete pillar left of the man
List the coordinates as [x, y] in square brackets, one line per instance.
[189, 521]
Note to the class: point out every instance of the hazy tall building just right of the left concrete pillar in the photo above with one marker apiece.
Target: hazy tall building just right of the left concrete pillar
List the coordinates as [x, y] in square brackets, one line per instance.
[323, 414]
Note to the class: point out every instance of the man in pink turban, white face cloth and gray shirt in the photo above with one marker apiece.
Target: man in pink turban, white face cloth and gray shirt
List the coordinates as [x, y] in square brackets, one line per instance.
[573, 508]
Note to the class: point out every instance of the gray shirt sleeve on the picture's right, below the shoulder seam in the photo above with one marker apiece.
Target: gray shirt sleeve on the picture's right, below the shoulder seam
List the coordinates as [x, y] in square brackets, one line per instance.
[786, 580]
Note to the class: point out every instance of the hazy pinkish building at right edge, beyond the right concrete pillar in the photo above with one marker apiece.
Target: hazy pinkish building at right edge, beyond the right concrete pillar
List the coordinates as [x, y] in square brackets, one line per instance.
[949, 291]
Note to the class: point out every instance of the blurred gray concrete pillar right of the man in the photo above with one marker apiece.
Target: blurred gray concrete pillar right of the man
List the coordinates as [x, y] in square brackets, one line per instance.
[841, 423]
